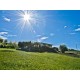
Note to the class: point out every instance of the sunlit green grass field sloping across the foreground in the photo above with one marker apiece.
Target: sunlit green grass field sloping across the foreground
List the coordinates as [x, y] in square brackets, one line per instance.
[11, 59]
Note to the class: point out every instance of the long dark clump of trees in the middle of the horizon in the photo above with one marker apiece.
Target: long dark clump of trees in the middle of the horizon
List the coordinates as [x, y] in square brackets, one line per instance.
[37, 47]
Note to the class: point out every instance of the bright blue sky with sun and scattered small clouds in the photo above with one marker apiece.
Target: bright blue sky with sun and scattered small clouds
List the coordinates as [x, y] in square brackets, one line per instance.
[49, 26]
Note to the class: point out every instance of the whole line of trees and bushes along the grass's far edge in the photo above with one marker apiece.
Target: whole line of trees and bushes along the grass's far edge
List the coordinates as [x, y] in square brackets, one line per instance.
[33, 46]
